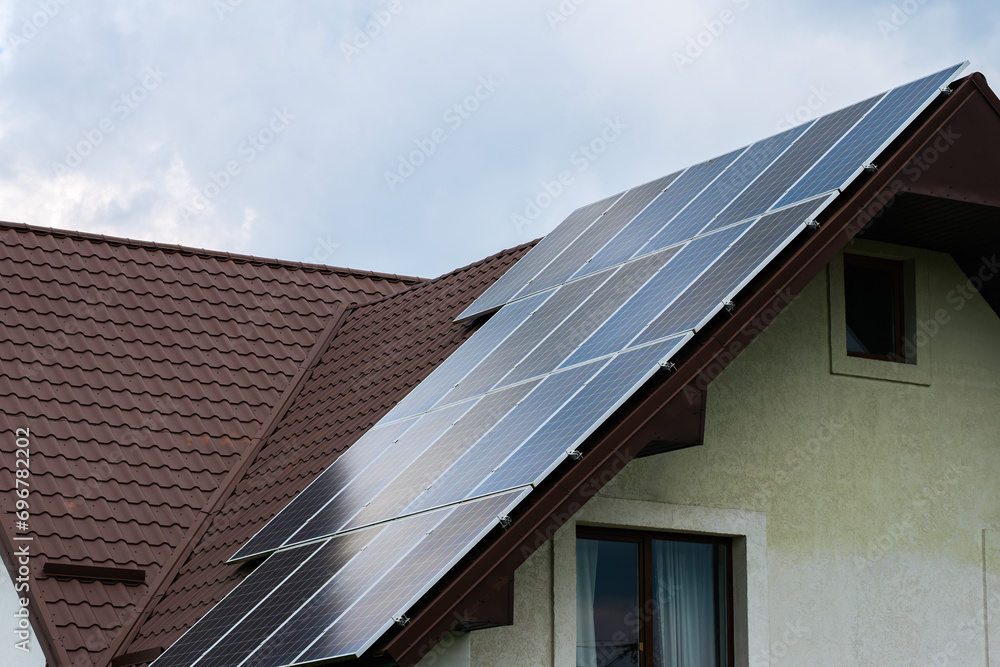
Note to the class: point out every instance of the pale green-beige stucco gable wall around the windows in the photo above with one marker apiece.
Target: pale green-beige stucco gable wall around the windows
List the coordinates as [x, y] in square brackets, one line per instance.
[881, 499]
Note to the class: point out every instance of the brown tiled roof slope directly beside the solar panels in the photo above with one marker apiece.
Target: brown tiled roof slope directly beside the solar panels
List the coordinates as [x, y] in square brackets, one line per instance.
[380, 352]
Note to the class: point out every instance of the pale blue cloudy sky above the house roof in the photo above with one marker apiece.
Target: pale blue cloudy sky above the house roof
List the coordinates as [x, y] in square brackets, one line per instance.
[410, 136]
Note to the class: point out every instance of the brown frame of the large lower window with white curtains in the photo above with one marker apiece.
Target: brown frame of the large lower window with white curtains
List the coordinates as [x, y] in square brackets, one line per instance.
[644, 538]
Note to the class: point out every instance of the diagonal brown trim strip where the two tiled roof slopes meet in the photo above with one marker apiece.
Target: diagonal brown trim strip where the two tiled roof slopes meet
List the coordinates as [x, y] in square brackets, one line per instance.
[147, 603]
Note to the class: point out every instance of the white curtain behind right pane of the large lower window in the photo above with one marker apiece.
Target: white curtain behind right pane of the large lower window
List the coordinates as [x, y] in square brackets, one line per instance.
[685, 618]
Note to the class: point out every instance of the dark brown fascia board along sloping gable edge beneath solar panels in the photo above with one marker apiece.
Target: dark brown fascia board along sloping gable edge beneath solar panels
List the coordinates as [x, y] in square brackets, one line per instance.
[619, 439]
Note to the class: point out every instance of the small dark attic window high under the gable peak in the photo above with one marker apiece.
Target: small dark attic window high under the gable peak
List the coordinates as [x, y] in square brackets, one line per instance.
[874, 305]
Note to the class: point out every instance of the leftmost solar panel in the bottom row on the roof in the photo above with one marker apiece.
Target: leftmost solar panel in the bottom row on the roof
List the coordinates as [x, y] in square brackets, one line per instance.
[224, 615]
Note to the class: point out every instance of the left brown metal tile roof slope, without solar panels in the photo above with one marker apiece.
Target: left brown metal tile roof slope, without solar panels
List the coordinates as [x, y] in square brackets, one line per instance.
[142, 372]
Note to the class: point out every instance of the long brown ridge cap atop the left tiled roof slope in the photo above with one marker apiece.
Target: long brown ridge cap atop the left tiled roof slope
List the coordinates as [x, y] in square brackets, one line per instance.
[216, 254]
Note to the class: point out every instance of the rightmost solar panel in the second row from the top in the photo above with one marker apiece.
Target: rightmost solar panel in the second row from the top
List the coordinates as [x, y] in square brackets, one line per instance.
[768, 235]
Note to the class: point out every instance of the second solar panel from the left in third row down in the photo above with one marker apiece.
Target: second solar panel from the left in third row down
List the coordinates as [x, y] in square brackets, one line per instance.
[363, 489]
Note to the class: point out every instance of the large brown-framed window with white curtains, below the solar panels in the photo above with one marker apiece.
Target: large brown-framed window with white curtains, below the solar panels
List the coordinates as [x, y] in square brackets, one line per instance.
[653, 599]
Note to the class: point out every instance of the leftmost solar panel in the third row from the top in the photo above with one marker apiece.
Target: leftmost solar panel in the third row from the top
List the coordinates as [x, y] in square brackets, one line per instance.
[349, 465]
